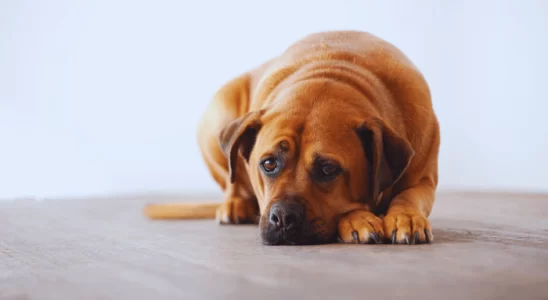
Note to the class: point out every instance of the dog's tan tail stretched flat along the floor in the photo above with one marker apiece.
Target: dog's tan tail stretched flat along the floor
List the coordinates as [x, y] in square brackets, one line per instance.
[181, 211]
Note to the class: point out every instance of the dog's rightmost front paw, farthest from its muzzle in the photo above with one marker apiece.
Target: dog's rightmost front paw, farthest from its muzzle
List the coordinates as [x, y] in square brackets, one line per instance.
[407, 228]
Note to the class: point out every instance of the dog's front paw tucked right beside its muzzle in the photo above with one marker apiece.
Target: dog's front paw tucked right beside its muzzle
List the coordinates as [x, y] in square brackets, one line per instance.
[360, 227]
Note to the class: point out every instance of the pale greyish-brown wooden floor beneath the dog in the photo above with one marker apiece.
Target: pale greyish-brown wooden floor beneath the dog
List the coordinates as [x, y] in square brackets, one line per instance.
[486, 247]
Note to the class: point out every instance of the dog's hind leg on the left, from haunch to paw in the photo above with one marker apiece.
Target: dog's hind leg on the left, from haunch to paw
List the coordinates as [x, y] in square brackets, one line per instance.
[229, 103]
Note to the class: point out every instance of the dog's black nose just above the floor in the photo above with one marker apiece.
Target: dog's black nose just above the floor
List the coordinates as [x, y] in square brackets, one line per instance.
[287, 214]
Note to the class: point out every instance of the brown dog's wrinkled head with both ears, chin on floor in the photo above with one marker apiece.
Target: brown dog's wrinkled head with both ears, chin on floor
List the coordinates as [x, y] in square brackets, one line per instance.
[313, 157]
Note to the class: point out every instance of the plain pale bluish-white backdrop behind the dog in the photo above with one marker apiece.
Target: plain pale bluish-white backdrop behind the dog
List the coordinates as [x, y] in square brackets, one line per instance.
[103, 97]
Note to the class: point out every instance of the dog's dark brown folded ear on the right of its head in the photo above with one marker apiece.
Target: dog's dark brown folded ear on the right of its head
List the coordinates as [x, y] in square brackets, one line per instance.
[388, 154]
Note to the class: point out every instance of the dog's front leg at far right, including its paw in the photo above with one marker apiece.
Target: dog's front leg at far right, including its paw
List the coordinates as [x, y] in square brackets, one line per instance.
[406, 219]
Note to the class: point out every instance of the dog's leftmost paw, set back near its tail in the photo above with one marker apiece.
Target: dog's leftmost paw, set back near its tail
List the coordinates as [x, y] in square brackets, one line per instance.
[238, 211]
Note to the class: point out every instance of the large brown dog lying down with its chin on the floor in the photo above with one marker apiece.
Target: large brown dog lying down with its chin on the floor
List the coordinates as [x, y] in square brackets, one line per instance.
[322, 140]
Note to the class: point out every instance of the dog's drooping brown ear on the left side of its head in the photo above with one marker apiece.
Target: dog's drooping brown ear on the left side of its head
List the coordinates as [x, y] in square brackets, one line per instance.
[239, 137]
